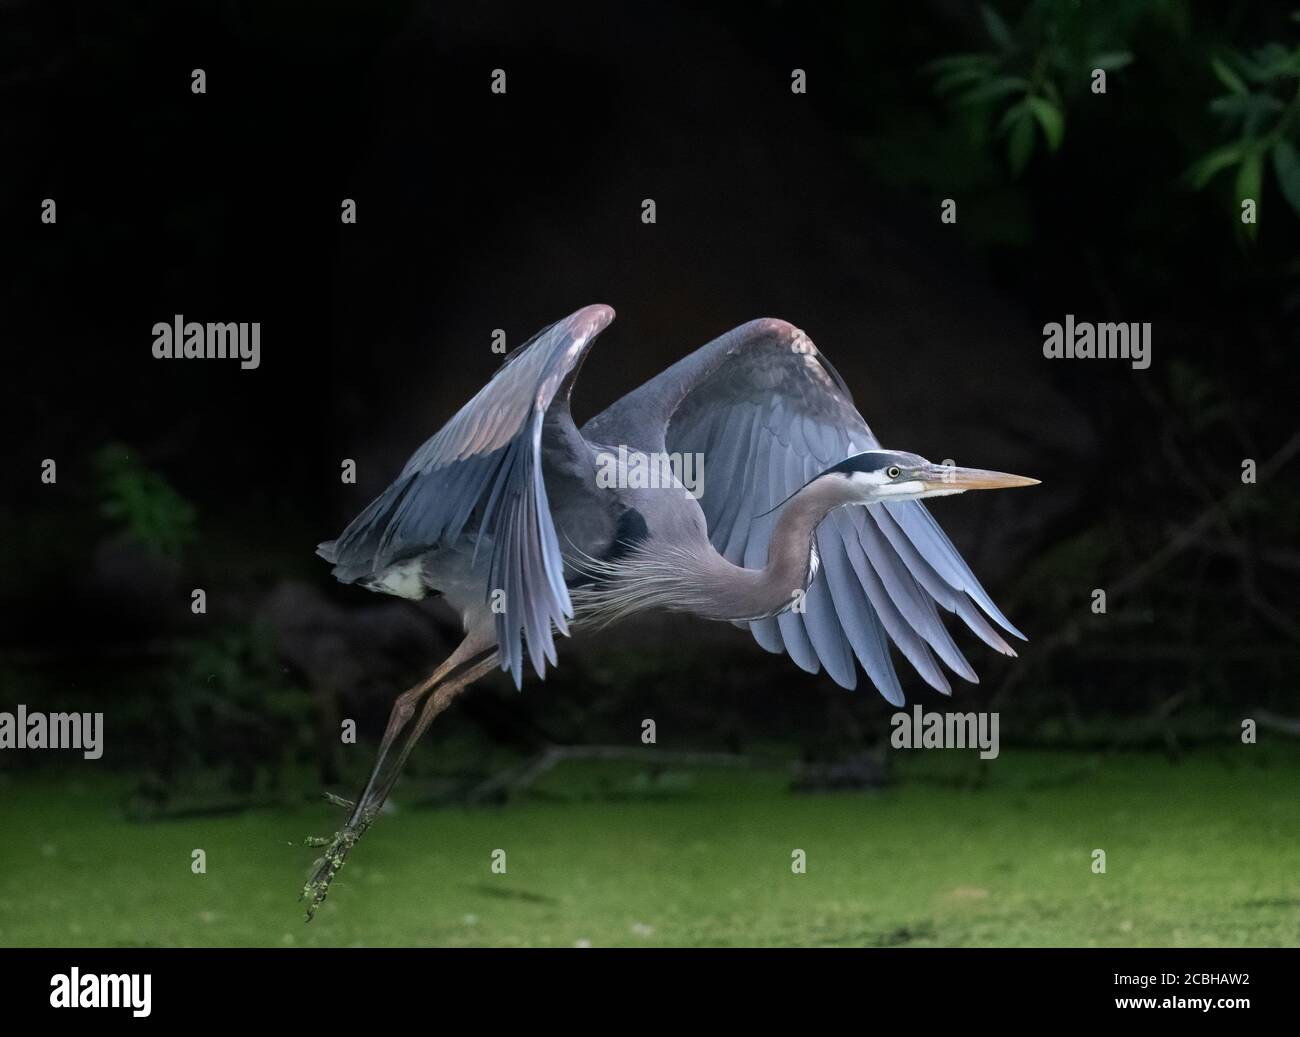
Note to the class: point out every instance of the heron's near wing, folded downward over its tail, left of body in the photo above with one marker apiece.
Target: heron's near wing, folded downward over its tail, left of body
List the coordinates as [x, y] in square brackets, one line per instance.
[482, 474]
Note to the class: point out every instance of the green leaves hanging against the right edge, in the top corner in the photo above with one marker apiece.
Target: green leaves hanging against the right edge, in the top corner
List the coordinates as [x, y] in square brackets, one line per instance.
[1262, 111]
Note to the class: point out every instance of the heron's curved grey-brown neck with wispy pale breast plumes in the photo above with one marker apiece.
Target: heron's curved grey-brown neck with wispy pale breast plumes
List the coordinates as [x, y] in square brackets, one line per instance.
[687, 576]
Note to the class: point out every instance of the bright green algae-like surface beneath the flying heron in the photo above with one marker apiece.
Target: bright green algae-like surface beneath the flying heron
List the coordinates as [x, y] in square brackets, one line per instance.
[1203, 852]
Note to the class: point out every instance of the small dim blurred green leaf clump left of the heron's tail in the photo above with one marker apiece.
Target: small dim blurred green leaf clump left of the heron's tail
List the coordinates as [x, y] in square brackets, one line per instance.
[142, 501]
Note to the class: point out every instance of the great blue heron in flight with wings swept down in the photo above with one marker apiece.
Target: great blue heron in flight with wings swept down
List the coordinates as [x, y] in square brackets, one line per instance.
[505, 513]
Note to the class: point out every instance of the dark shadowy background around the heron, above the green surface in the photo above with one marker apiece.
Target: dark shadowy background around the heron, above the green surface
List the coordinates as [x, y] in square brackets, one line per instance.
[480, 212]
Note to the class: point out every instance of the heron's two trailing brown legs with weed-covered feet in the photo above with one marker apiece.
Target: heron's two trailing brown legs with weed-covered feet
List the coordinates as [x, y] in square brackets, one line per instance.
[447, 683]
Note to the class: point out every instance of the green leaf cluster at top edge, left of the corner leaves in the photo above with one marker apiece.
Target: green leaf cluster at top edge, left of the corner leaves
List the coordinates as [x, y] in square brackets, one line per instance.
[1033, 72]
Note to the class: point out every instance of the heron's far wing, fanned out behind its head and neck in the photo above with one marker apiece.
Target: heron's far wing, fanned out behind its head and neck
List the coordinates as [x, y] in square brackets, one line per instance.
[768, 413]
